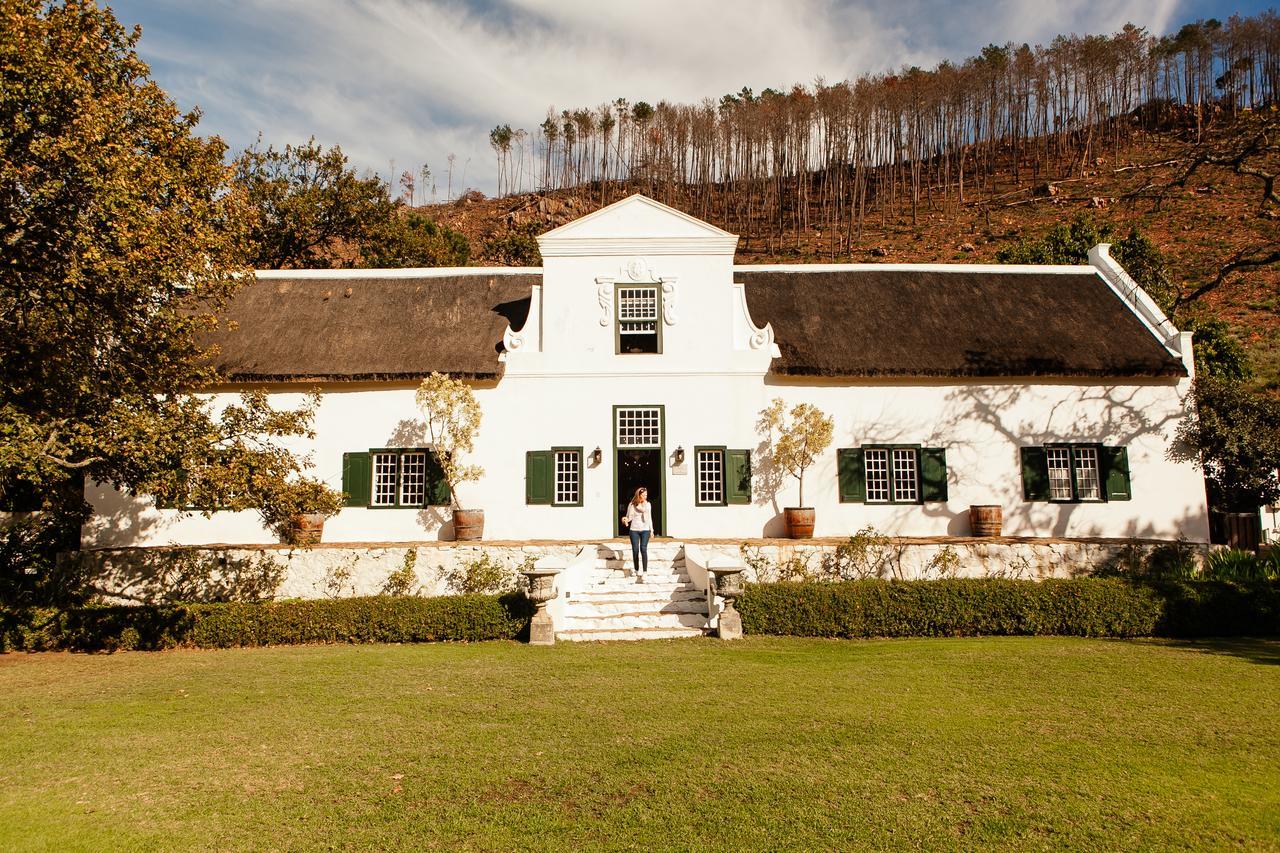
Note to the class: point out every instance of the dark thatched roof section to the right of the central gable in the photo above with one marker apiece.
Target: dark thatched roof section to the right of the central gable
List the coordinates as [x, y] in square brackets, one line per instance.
[964, 323]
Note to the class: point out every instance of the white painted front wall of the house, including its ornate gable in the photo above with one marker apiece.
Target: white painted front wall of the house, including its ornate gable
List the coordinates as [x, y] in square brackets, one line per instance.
[564, 378]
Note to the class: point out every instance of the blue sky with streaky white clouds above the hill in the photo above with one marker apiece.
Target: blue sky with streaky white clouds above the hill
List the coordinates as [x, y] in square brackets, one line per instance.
[413, 81]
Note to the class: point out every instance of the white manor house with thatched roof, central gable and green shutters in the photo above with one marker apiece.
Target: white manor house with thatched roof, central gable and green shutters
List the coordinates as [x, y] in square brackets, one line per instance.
[642, 355]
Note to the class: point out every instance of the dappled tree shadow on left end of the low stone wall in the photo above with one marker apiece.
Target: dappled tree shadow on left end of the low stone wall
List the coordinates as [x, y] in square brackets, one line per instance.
[176, 576]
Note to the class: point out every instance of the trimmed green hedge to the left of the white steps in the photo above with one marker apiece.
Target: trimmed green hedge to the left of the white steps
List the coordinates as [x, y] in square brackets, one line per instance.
[381, 619]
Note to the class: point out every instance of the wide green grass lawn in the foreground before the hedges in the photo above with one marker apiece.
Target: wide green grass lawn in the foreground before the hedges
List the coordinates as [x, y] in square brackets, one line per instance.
[696, 745]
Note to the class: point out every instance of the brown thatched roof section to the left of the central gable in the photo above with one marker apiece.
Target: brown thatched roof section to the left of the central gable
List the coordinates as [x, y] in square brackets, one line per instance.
[294, 330]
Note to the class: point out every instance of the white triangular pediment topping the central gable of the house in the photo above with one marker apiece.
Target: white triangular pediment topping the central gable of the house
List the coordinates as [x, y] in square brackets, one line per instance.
[637, 226]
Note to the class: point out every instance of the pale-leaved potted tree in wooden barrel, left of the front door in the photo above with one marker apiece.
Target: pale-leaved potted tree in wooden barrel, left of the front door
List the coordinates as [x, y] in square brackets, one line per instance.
[452, 422]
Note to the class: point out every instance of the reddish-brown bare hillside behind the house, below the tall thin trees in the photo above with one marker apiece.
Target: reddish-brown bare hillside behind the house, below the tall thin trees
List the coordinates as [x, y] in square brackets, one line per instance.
[1197, 229]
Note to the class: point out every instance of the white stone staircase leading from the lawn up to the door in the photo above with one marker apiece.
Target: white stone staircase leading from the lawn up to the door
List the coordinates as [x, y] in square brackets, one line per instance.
[612, 606]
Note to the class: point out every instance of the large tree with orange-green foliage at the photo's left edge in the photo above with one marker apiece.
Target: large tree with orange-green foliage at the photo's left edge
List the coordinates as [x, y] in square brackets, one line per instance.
[121, 236]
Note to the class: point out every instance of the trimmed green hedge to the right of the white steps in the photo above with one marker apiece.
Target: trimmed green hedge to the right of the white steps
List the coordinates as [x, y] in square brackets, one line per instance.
[968, 608]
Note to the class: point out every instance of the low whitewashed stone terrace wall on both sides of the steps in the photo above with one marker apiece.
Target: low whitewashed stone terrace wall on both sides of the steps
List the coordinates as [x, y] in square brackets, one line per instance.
[225, 573]
